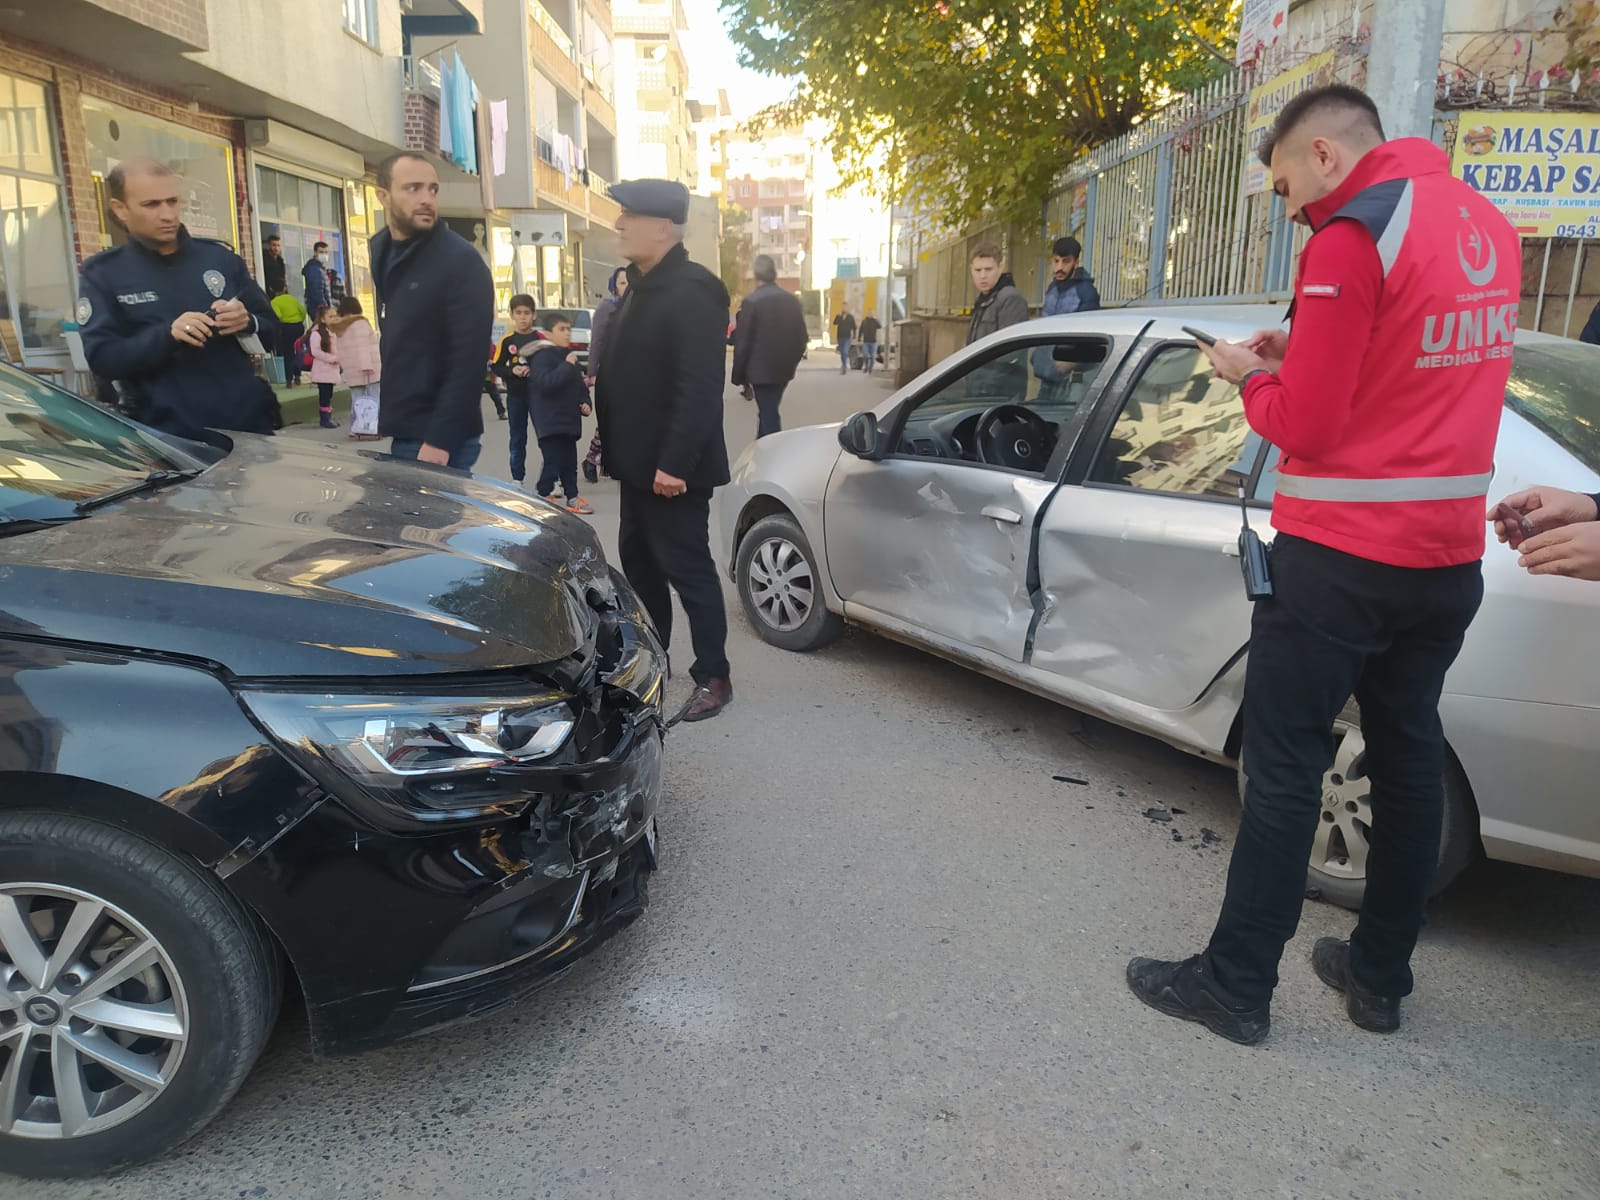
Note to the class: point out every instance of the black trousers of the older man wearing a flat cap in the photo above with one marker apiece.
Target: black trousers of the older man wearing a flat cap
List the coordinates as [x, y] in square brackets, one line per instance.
[668, 542]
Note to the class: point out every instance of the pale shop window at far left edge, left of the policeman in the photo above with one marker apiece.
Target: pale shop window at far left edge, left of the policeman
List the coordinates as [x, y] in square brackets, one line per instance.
[38, 274]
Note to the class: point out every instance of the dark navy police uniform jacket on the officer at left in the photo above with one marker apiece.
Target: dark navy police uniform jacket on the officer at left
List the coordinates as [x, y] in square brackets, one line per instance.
[130, 298]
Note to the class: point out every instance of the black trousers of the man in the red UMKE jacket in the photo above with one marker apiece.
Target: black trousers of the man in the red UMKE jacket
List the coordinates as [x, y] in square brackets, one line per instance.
[1340, 626]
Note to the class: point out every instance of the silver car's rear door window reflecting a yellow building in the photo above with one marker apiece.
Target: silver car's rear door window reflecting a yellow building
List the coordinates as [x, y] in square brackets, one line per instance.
[1182, 430]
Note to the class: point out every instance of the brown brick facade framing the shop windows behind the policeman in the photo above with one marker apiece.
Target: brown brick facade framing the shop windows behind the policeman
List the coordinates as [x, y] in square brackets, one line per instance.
[73, 79]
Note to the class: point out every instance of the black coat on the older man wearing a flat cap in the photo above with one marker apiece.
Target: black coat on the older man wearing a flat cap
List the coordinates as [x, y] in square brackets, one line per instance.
[663, 377]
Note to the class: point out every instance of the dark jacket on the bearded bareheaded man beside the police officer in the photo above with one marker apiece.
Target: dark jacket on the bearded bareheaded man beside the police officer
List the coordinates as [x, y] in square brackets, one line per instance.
[436, 310]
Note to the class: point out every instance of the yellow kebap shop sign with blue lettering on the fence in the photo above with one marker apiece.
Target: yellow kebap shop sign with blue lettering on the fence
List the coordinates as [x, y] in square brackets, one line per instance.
[1542, 170]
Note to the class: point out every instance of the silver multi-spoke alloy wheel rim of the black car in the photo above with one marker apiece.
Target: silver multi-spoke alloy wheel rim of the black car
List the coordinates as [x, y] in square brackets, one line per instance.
[94, 1018]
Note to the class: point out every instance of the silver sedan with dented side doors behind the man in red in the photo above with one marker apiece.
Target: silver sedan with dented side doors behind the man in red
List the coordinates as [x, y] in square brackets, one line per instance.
[1058, 506]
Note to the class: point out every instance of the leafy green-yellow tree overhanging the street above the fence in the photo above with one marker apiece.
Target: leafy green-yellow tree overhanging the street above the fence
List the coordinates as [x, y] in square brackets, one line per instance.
[975, 106]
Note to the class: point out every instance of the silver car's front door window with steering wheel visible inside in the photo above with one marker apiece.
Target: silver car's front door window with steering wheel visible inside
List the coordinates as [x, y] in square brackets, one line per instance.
[1007, 409]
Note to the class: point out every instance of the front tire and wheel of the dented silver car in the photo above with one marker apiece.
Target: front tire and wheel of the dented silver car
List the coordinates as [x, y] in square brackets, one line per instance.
[782, 586]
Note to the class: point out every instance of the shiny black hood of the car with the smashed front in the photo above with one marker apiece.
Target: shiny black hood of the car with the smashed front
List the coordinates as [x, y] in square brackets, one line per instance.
[295, 559]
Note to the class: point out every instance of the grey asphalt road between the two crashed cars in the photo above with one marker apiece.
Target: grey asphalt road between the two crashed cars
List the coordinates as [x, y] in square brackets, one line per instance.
[886, 959]
